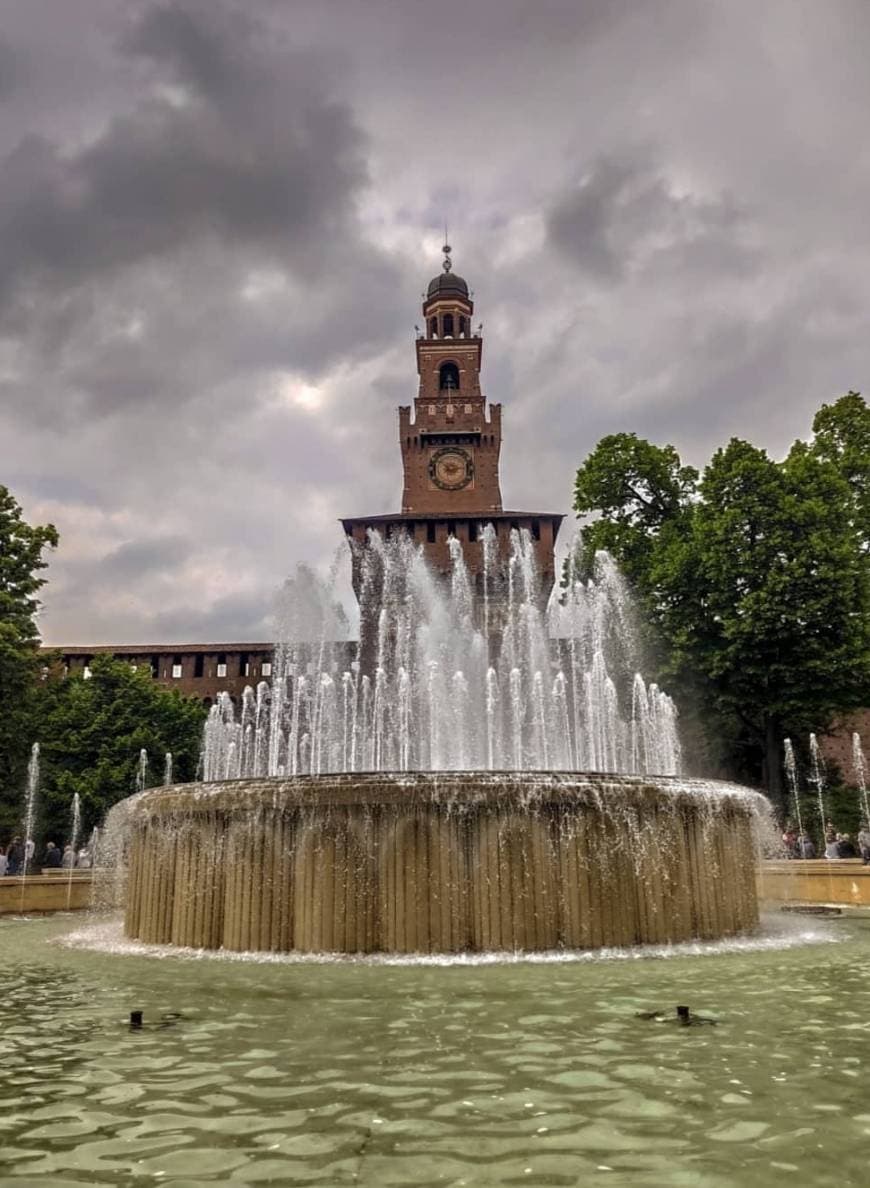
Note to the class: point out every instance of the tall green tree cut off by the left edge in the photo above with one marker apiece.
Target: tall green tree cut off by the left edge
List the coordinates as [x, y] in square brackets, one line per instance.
[22, 548]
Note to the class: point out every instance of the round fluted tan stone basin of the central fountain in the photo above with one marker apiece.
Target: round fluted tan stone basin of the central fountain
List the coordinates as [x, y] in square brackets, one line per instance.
[442, 863]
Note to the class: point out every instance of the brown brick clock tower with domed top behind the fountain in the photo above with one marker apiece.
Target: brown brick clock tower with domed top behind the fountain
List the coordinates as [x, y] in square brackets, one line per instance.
[451, 446]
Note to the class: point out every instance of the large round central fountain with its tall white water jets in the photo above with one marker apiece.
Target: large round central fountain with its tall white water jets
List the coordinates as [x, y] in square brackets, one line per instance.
[458, 797]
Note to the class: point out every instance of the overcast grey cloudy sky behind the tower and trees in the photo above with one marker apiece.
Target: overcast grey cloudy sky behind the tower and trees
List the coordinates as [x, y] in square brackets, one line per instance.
[217, 220]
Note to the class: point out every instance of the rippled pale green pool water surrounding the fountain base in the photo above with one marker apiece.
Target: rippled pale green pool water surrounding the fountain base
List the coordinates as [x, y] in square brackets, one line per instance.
[508, 1075]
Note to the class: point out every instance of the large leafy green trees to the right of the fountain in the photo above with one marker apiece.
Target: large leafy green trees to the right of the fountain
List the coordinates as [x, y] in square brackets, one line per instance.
[755, 576]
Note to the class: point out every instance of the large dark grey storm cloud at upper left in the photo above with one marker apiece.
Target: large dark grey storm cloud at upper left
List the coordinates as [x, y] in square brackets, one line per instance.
[248, 153]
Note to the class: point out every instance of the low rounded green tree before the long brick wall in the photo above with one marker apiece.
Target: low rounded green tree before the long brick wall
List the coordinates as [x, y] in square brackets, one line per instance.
[91, 732]
